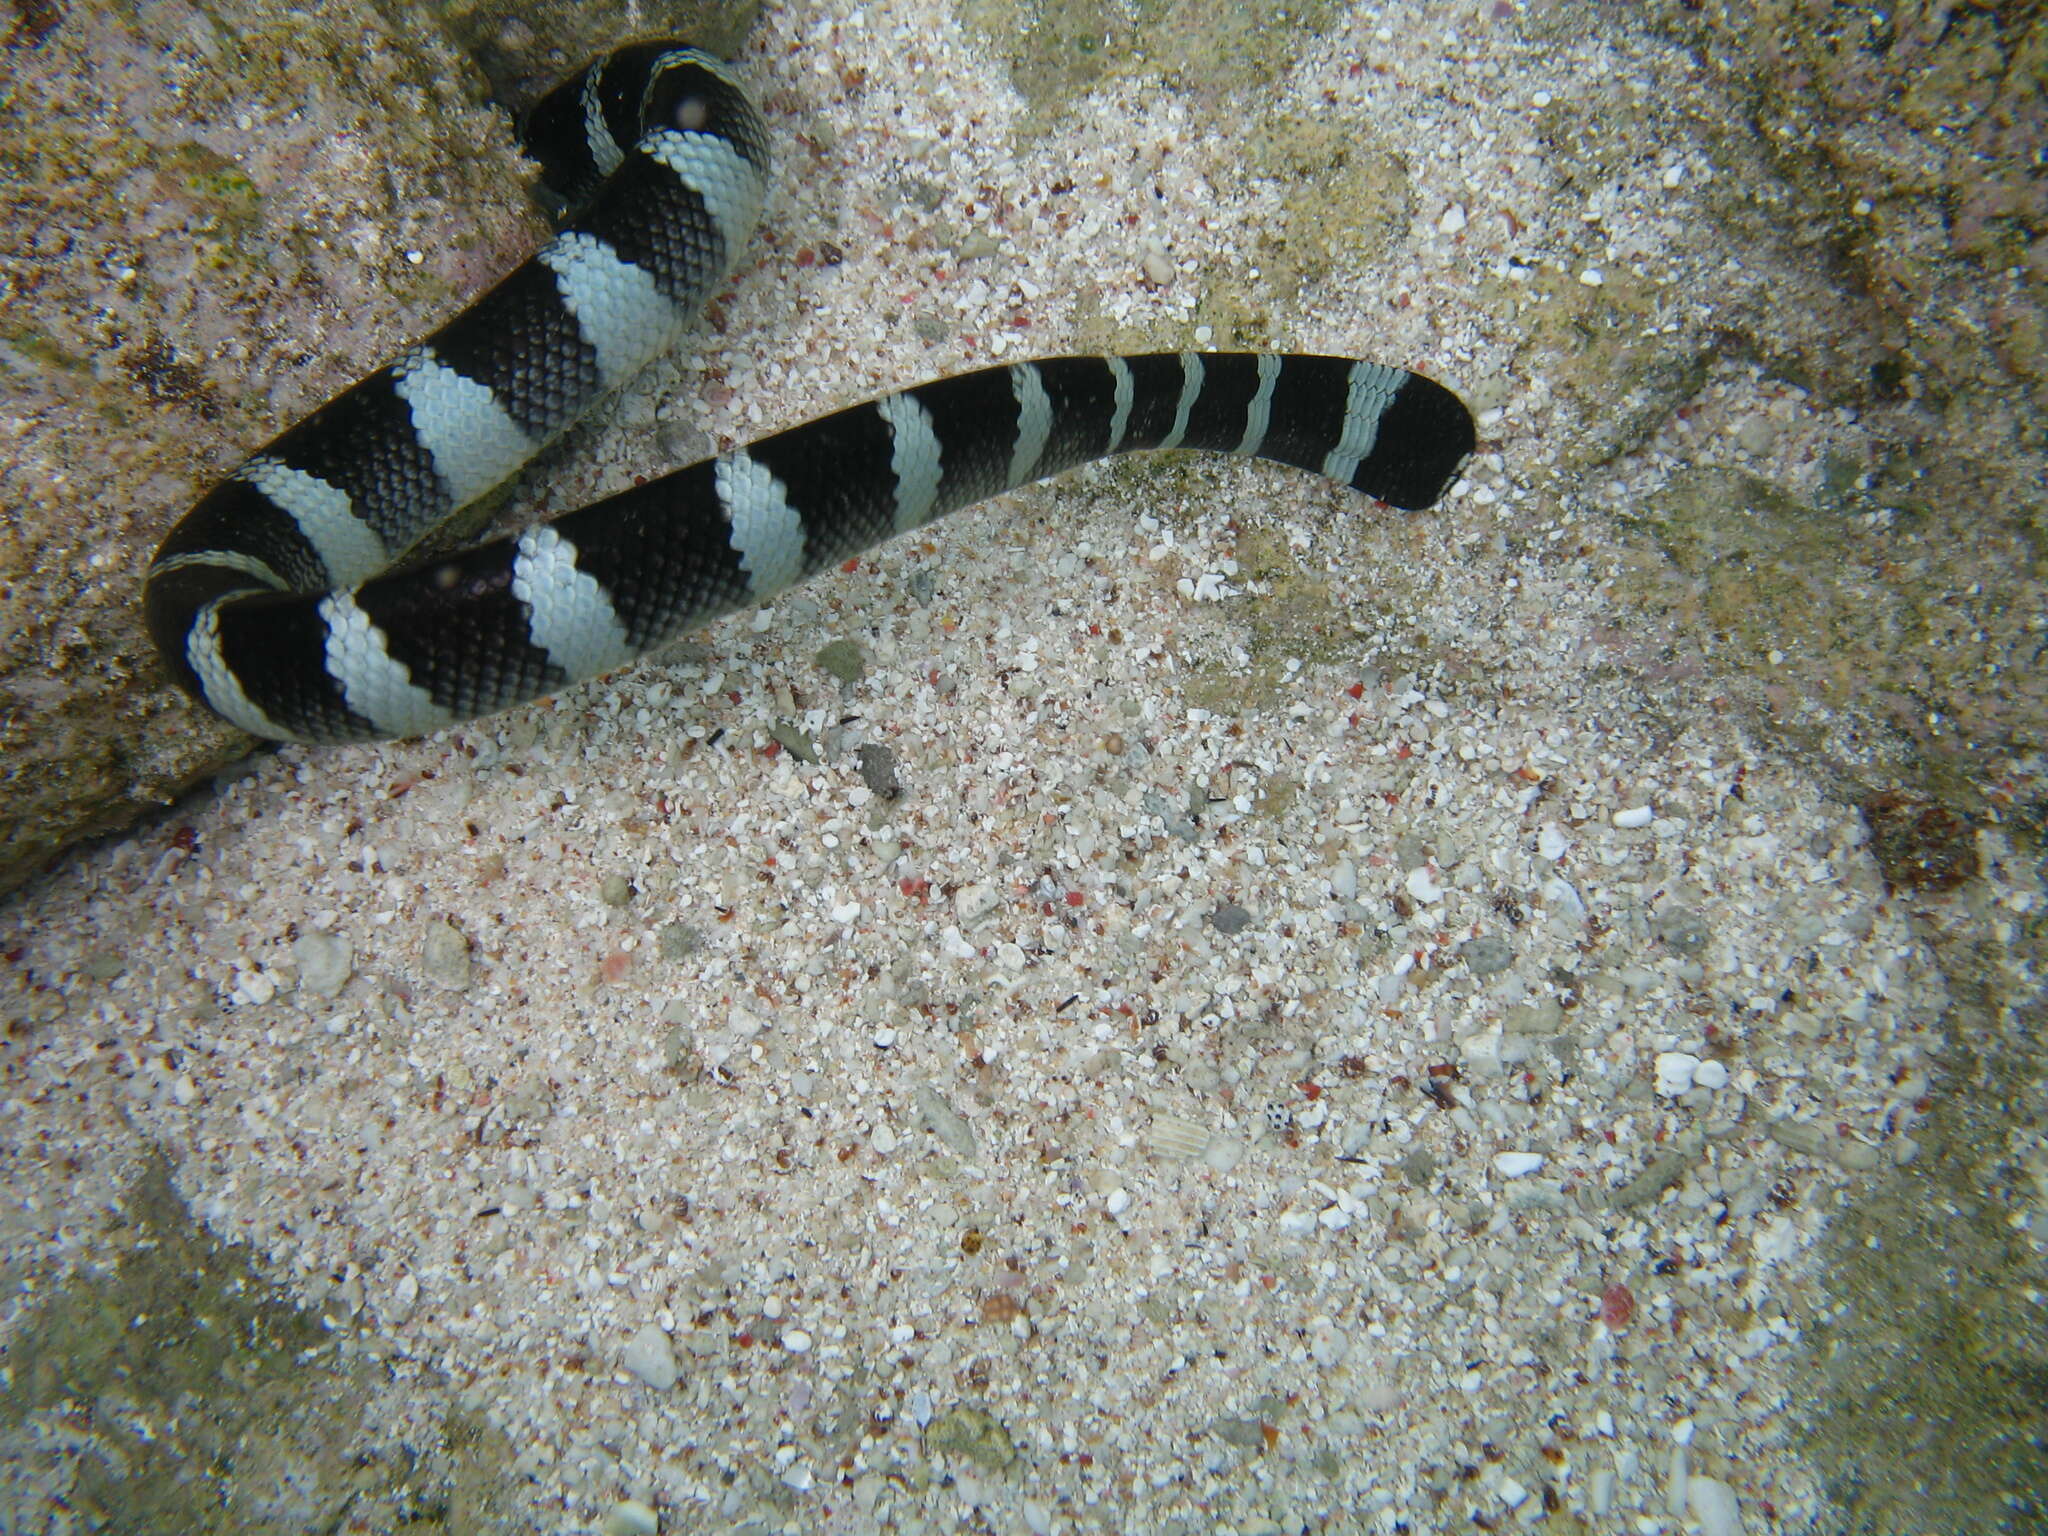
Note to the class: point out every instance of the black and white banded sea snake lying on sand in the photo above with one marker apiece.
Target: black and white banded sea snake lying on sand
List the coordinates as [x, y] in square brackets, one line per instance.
[292, 599]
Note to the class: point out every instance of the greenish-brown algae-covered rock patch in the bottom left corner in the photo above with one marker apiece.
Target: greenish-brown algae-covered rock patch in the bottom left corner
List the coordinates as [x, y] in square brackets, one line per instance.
[175, 1392]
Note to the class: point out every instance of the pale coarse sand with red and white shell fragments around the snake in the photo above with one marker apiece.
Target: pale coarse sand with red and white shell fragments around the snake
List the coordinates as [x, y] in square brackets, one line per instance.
[1314, 1043]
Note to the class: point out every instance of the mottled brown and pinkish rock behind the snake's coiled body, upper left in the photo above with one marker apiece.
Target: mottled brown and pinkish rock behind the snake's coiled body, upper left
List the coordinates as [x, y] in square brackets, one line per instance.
[216, 218]
